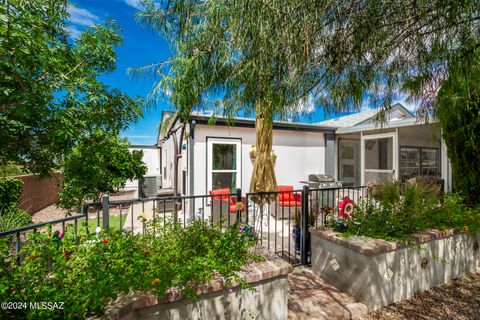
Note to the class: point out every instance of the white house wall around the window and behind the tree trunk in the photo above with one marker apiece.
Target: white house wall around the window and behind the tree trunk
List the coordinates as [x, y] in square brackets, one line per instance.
[298, 154]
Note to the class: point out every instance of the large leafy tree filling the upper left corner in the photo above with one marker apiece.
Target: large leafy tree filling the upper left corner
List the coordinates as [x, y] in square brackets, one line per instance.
[50, 95]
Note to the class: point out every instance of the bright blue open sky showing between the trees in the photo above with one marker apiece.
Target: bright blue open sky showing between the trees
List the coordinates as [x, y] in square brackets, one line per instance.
[141, 47]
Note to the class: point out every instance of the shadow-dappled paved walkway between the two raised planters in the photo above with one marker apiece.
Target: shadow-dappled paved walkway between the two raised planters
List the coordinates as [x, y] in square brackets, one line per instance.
[310, 297]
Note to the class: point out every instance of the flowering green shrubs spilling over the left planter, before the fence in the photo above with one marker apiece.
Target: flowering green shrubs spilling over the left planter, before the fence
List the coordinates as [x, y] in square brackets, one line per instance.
[86, 276]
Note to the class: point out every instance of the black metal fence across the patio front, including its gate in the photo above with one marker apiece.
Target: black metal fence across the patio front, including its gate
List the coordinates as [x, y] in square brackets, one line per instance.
[281, 218]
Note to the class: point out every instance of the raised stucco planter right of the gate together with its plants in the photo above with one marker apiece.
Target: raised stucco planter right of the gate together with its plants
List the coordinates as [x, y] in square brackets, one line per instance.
[380, 253]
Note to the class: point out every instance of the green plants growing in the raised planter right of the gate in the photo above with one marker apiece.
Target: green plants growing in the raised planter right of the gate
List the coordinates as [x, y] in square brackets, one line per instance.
[418, 207]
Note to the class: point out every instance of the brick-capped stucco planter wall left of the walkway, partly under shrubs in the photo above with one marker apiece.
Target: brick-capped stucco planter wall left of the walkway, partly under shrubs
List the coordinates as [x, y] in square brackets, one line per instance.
[268, 300]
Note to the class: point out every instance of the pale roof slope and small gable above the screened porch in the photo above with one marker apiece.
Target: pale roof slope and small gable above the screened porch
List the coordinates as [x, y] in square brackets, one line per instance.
[398, 112]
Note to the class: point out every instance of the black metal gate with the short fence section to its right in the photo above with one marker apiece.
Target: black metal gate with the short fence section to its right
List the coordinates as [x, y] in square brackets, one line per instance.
[282, 218]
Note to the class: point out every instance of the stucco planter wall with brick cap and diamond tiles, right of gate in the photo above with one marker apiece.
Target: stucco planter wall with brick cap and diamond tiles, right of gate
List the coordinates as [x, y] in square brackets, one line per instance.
[379, 272]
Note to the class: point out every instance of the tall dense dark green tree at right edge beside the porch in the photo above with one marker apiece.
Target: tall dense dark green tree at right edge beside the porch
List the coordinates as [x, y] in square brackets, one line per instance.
[458, 109]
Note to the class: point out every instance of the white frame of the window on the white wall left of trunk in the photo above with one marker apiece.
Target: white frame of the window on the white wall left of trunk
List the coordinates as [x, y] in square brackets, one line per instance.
[210, 171]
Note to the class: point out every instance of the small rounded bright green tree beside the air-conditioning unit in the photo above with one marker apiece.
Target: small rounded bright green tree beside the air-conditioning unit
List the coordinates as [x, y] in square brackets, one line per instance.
[99, 163]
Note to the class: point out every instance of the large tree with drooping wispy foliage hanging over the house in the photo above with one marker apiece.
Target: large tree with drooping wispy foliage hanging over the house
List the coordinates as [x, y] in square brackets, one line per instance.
[268, 56]
